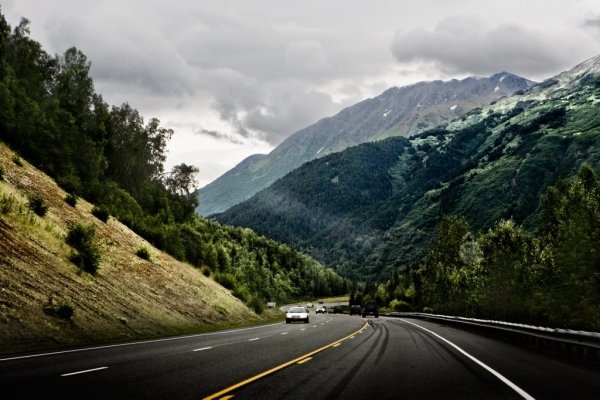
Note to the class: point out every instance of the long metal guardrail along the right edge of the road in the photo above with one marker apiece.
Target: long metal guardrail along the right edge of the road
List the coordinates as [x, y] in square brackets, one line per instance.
[579, 344]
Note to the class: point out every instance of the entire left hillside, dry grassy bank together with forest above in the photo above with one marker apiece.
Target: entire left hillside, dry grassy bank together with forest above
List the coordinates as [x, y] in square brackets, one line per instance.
[51, 118]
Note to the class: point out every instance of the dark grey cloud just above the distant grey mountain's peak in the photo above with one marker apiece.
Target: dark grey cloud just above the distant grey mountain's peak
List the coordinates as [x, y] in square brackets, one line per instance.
[469, 45]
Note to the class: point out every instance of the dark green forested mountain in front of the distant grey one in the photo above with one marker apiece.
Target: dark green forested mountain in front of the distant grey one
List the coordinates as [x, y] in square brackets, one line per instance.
[374, 207]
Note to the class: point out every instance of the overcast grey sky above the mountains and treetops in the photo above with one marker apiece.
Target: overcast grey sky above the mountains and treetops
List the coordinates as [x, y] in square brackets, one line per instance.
[236, 77]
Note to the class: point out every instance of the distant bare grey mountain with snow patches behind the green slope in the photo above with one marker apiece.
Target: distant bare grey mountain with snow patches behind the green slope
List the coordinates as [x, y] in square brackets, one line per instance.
[395, 112]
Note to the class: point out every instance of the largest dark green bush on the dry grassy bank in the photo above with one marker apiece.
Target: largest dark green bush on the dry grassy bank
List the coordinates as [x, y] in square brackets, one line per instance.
[82, 238]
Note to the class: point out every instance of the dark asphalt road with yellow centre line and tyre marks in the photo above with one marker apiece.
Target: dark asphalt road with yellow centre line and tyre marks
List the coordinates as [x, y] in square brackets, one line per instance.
[334, 356]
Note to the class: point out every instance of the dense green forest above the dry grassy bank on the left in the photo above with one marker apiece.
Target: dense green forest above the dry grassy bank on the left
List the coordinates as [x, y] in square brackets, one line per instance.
[51, 115]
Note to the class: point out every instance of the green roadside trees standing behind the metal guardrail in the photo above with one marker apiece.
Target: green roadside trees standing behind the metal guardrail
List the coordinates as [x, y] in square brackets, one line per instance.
[507, 273]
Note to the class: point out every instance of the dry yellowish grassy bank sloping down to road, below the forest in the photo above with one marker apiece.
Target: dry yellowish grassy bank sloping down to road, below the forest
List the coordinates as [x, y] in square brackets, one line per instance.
[129, 297]
